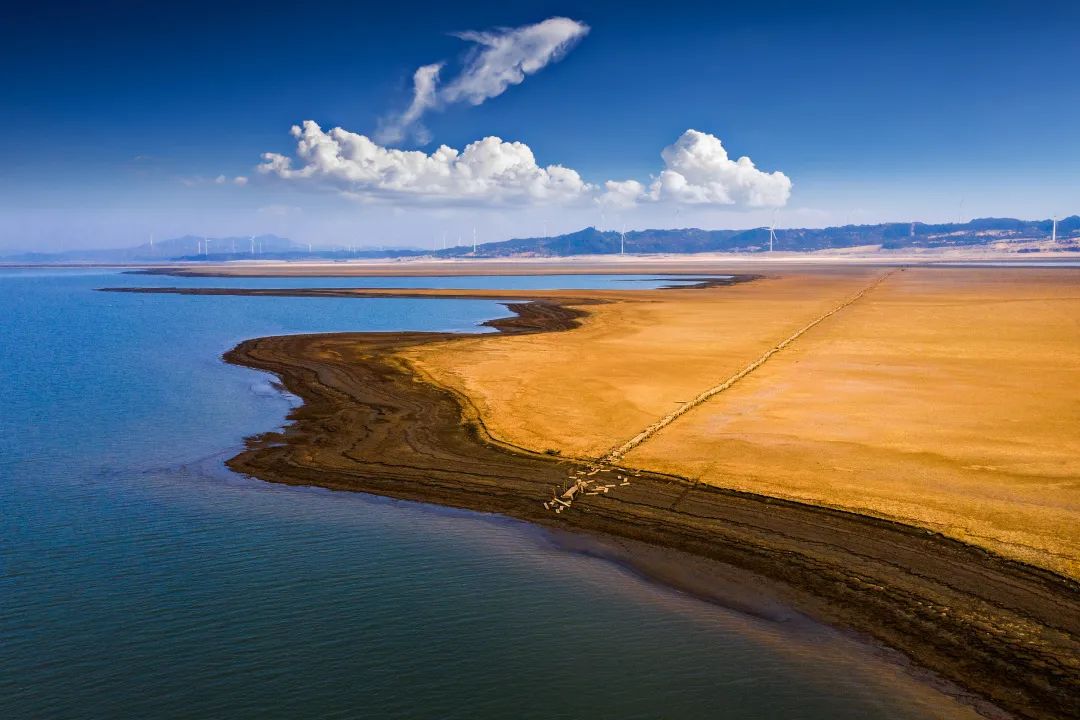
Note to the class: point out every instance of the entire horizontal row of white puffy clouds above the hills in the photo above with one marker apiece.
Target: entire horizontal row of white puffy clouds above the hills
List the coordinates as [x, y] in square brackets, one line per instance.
[697, 172]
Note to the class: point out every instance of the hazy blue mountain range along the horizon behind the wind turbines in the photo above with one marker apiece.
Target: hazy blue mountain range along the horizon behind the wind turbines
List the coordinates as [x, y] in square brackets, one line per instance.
[591, 241]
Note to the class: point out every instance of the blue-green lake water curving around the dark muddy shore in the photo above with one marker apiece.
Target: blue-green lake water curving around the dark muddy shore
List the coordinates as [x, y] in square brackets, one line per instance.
[139, 578]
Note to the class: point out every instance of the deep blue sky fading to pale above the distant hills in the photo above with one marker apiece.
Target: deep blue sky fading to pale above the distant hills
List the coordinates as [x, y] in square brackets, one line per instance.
[120, 117]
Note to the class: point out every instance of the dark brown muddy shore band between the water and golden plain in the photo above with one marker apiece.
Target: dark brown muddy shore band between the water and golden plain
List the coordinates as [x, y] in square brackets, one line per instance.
[1003, 630]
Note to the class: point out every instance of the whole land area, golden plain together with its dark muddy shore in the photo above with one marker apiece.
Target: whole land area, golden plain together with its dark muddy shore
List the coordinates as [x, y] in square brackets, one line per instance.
[889, 450]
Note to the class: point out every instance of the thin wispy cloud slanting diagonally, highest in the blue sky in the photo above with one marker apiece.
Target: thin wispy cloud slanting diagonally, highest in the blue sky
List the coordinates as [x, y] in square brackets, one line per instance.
[498, 60]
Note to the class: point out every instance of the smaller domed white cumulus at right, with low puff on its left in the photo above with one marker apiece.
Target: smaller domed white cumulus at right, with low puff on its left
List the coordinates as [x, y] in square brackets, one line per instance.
[699, 172]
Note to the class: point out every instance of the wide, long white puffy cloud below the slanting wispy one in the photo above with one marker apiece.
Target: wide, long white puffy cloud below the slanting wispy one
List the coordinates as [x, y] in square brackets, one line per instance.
[490, 171]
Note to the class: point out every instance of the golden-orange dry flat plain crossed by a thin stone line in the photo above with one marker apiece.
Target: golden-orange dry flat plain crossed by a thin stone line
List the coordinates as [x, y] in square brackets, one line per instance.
[946, 398]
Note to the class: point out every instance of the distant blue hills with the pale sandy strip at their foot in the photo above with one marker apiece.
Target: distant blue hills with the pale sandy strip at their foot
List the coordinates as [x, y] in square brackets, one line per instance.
[909, 239]
